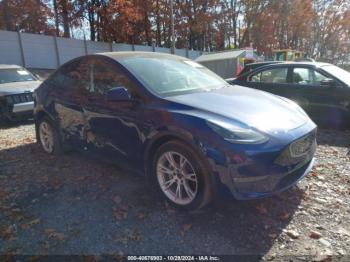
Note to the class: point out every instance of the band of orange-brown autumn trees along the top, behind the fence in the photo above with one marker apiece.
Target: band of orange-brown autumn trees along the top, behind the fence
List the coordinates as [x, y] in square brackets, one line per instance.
[320, 28]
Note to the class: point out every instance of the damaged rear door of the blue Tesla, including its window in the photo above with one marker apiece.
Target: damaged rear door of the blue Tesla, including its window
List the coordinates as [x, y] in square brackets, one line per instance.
[69, 95]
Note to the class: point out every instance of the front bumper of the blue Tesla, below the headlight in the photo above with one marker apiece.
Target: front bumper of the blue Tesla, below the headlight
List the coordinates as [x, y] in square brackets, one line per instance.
[256, 173]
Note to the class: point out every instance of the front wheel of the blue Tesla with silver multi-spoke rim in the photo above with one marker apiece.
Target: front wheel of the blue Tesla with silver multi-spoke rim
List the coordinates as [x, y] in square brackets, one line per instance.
[192, 183]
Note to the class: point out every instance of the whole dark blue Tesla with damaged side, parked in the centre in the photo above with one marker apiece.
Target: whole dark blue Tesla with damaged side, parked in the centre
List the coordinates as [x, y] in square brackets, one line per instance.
[191, 133]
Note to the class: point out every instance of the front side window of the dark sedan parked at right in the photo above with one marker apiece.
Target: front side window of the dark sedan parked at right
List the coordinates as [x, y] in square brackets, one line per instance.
[307, 76]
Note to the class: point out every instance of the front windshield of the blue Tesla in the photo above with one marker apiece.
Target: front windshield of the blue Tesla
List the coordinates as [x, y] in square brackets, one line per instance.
[169, 76]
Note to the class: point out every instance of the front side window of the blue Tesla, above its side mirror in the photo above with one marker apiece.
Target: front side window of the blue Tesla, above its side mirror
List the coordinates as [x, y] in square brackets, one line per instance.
[105, 76]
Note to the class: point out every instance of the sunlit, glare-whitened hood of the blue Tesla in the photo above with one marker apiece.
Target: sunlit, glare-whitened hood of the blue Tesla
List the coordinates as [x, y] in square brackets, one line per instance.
[257, 109]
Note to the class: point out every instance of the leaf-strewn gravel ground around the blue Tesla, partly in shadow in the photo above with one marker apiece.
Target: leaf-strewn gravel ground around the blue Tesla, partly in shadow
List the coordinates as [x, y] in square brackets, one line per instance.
[76, 205]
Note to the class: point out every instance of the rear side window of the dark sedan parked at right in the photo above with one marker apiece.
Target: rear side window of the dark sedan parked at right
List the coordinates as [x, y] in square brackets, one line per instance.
[274, 75]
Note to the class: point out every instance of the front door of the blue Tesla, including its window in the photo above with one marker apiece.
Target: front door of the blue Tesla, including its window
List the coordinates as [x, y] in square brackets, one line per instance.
[114, 128]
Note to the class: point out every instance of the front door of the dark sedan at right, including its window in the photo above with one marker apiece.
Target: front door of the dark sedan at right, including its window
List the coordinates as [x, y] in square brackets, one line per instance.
[325, 105]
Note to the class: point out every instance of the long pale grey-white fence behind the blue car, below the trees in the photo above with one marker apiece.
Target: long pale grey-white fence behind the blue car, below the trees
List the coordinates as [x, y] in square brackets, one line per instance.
[49, 52]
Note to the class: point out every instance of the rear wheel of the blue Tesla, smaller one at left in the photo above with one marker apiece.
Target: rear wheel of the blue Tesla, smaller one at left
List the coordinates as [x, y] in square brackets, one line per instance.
[48, 137]
